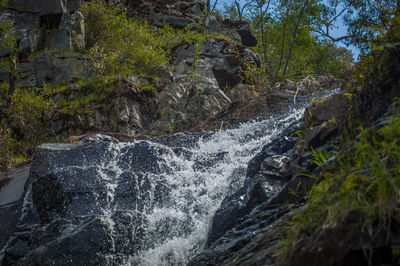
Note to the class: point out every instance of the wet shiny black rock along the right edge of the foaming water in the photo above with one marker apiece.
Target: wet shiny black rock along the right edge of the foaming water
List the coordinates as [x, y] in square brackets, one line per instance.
[261, 186]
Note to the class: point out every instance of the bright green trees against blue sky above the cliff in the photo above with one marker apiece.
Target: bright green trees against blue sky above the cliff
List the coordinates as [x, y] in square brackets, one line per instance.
[289, 39]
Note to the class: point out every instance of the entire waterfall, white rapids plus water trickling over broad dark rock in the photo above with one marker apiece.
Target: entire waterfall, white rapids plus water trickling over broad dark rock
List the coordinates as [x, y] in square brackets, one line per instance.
[149, 202]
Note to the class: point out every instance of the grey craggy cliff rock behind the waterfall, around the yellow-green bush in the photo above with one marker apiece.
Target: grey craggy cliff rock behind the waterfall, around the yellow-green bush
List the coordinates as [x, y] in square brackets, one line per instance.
[51, 36]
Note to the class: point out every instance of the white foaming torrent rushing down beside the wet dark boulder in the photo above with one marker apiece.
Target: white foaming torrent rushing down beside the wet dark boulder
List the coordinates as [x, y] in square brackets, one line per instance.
[215, 168]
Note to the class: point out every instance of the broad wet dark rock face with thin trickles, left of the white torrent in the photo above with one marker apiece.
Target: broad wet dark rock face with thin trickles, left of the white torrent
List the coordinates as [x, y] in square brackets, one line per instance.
[71, 209]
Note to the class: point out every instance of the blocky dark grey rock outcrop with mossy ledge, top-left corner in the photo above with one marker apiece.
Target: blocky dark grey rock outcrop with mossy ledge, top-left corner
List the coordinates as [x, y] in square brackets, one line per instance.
[54, 26]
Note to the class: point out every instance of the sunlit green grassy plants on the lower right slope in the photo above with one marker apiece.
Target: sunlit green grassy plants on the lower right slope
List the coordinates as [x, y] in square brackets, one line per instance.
[367, 178]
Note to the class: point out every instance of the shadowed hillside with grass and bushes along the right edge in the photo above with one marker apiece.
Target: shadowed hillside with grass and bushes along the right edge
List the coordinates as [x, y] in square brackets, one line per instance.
[351, 215]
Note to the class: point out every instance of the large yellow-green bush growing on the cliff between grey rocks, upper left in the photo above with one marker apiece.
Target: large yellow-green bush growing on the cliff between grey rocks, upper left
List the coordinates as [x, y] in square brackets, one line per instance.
[118, 45]
